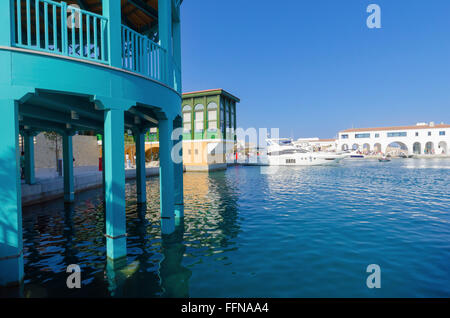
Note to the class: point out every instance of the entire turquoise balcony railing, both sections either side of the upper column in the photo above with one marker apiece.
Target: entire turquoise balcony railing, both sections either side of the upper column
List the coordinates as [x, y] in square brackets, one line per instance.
[58, 28]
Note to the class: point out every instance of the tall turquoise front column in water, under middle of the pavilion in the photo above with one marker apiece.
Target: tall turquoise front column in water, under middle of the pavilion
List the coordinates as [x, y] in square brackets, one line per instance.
[116, 245]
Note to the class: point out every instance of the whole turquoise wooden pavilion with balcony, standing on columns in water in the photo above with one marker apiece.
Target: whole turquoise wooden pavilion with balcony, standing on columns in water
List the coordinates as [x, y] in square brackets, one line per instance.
[92, 65]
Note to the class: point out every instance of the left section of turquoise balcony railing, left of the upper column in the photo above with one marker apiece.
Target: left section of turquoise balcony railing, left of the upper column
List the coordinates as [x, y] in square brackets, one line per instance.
[57, 28]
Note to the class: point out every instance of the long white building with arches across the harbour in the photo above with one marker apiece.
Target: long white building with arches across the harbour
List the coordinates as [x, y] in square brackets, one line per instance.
[423, 138]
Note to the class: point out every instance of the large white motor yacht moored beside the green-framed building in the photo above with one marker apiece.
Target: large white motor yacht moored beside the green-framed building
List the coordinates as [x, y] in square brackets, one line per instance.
[282, 152]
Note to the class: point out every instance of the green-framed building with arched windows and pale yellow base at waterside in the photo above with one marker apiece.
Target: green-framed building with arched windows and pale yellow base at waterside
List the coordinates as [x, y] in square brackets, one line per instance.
[209, 129]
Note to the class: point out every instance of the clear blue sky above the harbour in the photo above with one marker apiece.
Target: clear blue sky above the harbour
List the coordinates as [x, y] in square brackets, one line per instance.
[312, 67]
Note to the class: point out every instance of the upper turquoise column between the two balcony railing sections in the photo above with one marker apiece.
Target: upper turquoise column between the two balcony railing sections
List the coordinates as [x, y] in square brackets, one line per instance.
[112, 11]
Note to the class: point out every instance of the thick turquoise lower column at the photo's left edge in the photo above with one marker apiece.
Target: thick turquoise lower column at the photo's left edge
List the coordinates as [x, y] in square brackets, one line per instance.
[11, 244]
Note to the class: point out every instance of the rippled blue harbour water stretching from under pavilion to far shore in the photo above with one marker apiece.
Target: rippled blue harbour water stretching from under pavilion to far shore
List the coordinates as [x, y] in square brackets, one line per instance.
[301, 232]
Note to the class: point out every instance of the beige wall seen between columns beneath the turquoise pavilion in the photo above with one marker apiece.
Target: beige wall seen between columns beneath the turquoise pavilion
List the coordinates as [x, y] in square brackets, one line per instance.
[85, 151]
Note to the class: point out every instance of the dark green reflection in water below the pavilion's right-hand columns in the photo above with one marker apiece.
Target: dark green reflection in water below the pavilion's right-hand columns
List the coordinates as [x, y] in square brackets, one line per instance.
[173, 276]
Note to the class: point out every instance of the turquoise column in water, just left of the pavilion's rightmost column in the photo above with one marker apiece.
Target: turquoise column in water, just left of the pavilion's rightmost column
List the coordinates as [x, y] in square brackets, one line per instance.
[166, 177]
